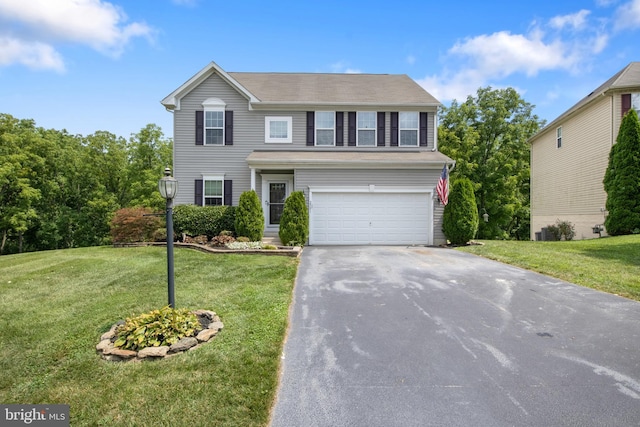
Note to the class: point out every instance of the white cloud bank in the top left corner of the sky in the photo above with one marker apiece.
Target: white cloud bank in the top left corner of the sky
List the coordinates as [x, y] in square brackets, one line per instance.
[41, 23]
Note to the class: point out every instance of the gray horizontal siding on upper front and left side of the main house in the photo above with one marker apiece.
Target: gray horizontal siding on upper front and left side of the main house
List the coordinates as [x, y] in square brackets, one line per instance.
[191, 161]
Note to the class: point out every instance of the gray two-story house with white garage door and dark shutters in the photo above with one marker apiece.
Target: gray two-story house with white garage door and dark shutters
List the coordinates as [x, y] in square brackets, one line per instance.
[362, 148]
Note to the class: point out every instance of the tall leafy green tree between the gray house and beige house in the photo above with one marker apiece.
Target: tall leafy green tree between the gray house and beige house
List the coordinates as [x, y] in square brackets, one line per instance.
[487, 137]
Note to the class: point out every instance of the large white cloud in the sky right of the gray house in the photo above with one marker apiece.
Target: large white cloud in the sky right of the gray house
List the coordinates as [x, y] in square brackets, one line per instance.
[564, 43]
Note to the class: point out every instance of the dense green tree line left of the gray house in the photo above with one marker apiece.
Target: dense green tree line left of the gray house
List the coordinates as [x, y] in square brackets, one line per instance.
[59, 190]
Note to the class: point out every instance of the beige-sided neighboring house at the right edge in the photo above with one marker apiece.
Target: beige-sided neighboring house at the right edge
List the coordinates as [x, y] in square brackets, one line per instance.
[570, 155]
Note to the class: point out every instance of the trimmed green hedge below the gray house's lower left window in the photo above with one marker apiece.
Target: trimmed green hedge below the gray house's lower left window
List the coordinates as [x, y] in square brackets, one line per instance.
[202, 220]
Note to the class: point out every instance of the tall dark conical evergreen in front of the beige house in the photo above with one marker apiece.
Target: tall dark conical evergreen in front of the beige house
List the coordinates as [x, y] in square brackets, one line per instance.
[622, 179]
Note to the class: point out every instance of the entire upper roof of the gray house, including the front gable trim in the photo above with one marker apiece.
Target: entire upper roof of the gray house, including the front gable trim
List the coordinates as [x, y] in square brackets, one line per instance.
[298, 89]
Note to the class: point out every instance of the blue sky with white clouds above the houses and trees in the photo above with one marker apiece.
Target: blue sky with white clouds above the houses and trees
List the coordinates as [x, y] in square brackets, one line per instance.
[89, 65]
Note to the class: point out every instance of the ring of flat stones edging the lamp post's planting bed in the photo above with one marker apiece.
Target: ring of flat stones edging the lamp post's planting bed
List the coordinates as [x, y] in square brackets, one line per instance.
[209, 321]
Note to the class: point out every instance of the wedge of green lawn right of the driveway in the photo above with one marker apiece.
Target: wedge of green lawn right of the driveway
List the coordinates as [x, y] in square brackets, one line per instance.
[610, 264]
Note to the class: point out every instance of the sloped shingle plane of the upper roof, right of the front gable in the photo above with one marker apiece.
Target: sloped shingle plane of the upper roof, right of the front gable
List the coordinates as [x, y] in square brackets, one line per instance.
[323, 88]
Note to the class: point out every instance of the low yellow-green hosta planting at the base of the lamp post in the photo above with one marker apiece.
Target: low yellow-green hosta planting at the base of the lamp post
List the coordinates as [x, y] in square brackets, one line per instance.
[165, 326]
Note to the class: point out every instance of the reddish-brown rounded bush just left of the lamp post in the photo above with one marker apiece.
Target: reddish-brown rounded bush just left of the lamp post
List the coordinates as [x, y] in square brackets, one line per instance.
[131, 225]
